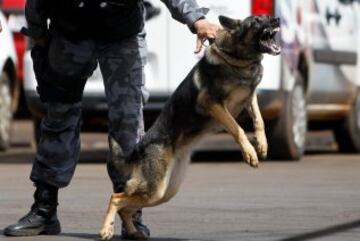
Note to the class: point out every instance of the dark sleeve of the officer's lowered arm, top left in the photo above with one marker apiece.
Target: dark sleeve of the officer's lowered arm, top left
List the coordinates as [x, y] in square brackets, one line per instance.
[36, 13]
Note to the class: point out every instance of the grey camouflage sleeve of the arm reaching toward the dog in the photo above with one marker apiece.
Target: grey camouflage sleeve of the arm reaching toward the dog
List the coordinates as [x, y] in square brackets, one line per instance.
[186, 11]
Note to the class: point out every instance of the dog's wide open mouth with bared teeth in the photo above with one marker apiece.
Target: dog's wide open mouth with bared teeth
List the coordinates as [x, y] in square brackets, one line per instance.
[268, 43]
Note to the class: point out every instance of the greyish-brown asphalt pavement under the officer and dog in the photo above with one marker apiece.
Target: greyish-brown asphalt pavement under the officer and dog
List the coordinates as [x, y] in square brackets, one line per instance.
[317, 198]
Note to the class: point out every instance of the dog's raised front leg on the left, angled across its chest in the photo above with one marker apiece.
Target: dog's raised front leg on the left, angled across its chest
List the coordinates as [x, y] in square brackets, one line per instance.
[222, 115]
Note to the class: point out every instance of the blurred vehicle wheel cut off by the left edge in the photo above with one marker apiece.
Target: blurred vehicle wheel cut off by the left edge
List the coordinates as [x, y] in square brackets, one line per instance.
[6, 114]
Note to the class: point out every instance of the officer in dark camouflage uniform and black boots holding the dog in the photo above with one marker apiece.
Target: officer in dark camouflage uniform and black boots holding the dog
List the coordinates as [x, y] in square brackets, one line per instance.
[71, 38]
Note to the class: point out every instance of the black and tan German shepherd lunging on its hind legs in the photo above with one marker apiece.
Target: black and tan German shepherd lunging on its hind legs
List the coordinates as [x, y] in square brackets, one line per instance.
[217, 89]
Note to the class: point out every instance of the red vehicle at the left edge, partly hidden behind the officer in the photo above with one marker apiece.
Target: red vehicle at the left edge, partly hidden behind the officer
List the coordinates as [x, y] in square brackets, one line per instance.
[14, 12]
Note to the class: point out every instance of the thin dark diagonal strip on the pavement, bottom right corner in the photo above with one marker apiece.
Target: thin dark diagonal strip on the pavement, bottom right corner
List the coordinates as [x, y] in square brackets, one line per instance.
[324, 232]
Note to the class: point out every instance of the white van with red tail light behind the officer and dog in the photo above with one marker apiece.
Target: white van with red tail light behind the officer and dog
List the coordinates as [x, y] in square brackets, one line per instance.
[312, 83]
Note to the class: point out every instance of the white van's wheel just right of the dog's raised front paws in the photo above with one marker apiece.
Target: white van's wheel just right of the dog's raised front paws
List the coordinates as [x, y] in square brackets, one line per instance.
[287, 134]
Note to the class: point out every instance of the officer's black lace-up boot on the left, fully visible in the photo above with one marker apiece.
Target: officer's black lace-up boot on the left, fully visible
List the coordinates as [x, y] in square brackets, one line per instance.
[42, 218]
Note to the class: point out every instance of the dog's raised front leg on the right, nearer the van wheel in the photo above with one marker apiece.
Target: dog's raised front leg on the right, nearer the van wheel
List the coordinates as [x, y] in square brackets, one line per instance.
[261, 142]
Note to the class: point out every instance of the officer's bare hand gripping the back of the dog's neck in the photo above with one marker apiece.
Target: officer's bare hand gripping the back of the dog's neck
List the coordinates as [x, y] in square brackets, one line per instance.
[205, 30]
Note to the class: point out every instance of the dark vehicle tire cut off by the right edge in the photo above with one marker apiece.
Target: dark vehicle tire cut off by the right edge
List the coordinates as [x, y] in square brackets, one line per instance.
[347, 133]
